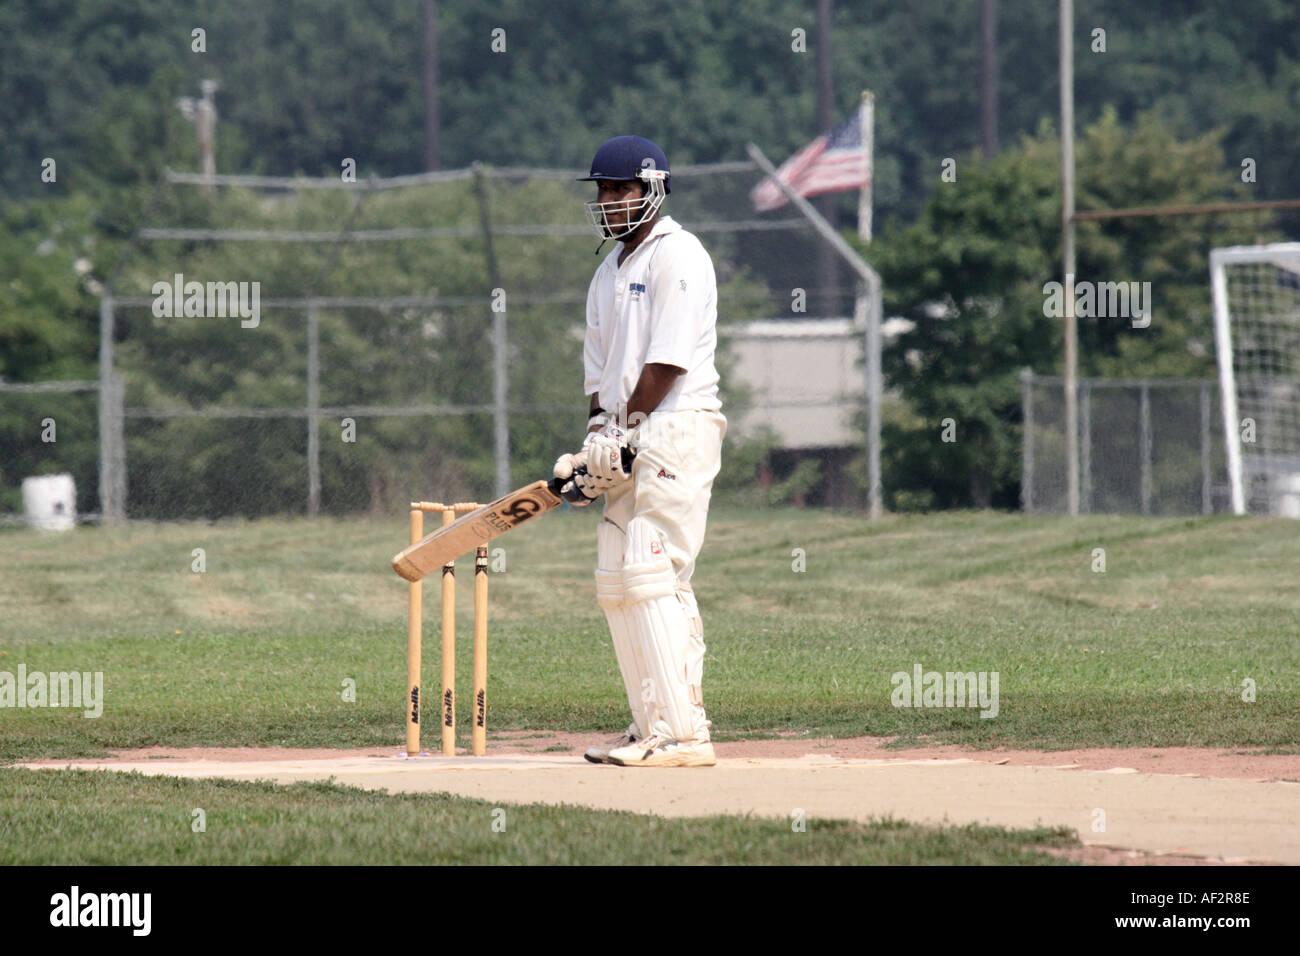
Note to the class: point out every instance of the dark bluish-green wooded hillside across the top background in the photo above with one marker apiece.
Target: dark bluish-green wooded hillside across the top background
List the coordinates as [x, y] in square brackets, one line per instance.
[93, 83]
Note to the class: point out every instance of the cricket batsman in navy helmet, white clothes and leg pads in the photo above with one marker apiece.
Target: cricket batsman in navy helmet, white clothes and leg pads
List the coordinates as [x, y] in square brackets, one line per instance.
[652, 314]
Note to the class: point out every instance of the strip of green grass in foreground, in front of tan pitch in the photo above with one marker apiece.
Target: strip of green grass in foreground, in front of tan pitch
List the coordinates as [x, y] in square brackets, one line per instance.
[83, 817]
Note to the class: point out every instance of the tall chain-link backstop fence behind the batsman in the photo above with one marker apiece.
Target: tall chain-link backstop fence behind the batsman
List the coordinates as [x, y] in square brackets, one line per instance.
[398, 339]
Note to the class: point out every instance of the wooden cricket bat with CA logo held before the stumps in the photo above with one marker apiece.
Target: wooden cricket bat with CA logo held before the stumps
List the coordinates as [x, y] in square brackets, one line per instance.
[492, 521]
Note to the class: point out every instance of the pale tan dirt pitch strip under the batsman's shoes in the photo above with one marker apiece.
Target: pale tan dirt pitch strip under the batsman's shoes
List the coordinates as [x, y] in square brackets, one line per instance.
[1173, 806]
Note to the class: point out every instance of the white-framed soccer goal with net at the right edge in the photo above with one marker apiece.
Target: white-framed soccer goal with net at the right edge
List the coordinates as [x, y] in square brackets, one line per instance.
[1256, 293]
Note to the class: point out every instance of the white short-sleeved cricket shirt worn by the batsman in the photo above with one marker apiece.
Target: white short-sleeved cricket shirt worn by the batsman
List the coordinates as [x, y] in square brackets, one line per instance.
[661, 306]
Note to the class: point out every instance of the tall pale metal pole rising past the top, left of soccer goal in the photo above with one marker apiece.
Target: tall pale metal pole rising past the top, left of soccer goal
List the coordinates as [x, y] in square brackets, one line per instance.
[1072, 360]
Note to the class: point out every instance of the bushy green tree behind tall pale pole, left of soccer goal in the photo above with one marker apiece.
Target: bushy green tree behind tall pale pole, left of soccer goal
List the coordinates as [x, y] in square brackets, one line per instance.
[972, 276]
